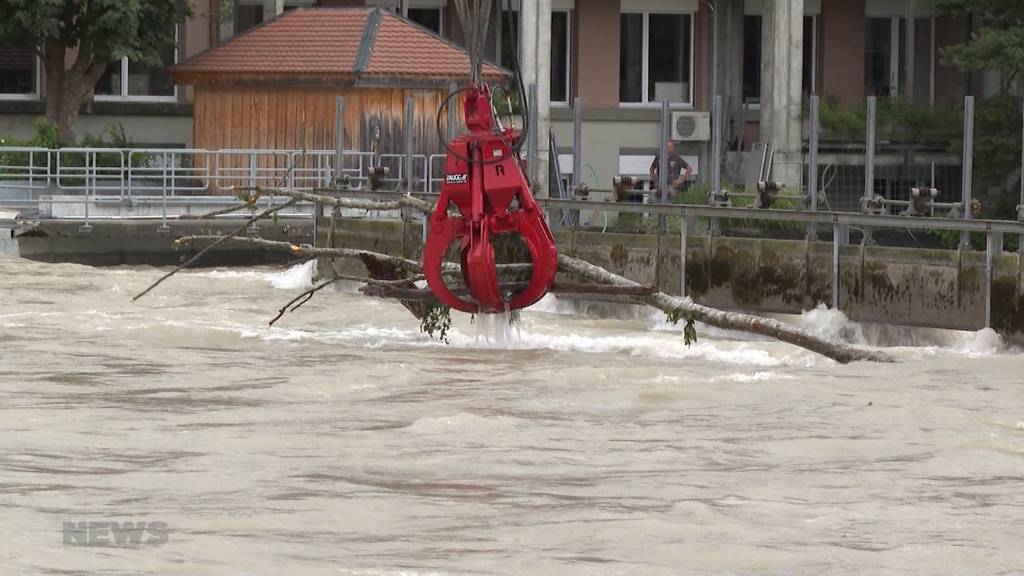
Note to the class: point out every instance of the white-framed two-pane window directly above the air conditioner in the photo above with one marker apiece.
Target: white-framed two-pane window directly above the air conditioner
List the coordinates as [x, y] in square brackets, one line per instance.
[656, 58]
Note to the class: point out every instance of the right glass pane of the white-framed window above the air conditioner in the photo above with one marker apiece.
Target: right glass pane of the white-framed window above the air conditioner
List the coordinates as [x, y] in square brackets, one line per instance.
[669, 56]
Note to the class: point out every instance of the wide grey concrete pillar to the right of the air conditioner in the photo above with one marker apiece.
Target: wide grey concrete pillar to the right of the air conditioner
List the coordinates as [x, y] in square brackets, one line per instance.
[782, 87]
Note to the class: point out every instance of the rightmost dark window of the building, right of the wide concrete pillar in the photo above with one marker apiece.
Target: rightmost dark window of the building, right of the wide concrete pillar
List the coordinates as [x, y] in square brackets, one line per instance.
[886, 56]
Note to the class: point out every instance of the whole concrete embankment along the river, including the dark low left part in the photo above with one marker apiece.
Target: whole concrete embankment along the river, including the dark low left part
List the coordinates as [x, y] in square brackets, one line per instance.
[905, 286]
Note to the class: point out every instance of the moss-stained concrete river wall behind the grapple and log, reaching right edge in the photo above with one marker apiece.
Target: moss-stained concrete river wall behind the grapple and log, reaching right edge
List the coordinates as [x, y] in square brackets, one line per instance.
[916, 287]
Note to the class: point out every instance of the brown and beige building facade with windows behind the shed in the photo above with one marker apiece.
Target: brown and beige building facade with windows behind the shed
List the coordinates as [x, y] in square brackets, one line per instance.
[621, 58]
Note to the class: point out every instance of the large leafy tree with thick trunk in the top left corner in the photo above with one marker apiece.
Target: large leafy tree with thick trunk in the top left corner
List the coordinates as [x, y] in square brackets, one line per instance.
[78, 39]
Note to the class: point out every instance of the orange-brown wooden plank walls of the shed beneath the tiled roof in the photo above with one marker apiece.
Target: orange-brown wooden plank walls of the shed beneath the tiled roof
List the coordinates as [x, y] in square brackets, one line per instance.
[304, 118]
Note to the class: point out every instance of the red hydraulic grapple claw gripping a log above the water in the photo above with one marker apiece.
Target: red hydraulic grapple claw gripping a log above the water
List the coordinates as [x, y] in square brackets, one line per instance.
[483, 177]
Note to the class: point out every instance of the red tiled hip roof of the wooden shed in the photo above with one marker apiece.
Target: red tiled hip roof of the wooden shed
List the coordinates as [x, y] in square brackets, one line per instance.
[321, 45]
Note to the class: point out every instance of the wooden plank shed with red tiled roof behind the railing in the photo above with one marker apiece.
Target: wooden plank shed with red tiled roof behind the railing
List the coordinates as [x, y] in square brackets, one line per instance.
[277, 86]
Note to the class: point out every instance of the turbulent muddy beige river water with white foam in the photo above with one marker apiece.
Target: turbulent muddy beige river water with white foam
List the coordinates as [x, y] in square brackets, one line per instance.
[344, 441]
